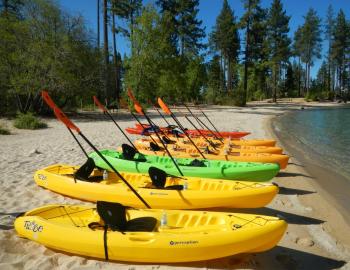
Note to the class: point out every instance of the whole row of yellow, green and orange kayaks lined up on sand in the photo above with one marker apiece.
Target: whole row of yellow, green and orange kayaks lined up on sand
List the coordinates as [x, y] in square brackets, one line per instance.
[125, 183]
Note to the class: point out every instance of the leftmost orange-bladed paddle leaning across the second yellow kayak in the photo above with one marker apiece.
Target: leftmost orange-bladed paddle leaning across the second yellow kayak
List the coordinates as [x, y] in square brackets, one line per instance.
[72, 127]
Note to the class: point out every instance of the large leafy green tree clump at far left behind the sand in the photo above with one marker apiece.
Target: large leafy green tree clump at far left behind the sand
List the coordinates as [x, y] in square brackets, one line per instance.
[46, 49]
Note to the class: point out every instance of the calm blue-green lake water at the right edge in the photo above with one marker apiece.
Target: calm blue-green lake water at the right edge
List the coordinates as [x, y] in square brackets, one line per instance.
[326, 132]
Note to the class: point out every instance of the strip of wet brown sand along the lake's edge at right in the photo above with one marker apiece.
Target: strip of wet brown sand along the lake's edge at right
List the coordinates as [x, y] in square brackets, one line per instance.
[325, 181]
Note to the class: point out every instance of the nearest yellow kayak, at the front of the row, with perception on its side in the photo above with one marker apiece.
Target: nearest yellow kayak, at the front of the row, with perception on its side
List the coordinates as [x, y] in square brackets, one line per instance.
[114, 232]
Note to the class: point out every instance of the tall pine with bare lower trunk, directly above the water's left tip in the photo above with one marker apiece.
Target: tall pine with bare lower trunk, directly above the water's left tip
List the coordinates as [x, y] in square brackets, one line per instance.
[278, 28]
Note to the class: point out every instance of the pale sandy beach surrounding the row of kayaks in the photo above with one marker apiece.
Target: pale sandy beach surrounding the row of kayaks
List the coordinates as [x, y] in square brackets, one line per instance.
[317, 236]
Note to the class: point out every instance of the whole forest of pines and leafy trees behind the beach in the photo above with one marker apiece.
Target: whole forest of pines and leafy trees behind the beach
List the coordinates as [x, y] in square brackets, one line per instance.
[253, 57]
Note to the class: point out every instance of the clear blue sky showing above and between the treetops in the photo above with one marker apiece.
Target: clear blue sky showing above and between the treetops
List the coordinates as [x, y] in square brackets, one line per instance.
[209, 10]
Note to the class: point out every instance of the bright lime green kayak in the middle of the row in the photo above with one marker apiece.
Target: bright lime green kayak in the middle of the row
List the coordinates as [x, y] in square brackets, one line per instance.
[218, 169]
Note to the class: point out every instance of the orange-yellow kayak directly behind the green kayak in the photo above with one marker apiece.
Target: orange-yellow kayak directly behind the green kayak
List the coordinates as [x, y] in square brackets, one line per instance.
[190, 152]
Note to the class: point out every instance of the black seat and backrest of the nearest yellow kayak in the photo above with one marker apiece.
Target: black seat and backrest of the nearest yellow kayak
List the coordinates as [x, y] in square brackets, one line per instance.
[114, 216]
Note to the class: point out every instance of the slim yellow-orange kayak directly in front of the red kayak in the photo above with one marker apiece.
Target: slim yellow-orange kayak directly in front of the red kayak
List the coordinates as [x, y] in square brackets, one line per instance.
[227, 141]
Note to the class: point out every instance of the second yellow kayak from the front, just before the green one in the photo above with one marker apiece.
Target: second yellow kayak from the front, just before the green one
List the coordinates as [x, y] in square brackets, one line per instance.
[176, 193]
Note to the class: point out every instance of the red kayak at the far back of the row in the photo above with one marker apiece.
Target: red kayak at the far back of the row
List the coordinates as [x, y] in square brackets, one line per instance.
[147, 130]
